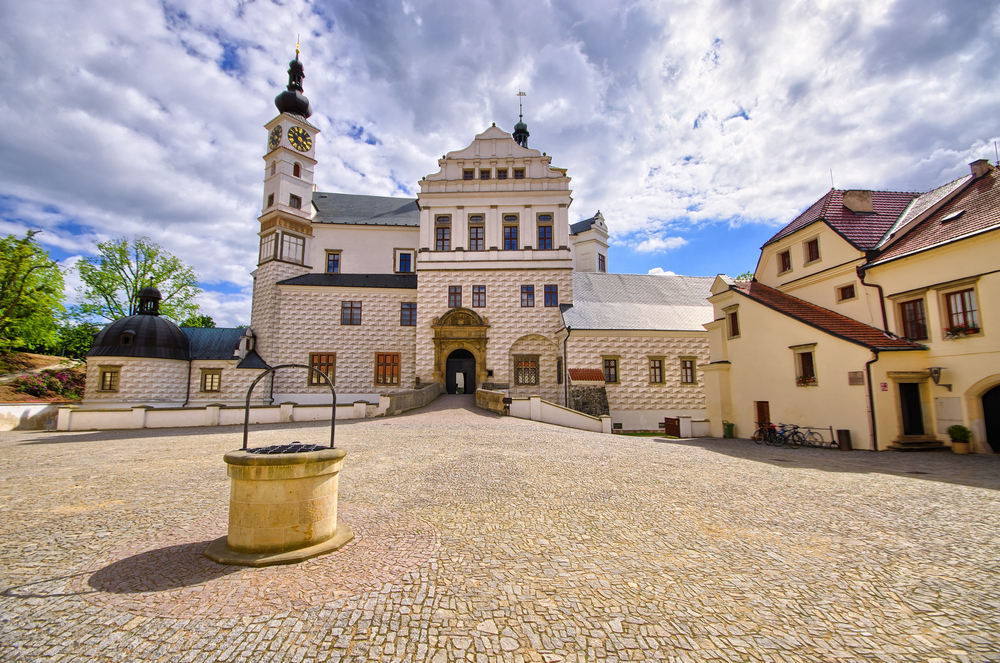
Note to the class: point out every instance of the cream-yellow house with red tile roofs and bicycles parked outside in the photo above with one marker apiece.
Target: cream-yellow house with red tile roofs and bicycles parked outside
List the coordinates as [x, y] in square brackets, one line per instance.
[871, 312]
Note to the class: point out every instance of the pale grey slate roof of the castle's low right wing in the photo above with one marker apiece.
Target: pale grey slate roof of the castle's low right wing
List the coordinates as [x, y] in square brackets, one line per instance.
[639, 301]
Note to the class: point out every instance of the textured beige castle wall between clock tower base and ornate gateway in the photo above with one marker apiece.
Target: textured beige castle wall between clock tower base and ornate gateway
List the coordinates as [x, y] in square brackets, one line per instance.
[308, 321]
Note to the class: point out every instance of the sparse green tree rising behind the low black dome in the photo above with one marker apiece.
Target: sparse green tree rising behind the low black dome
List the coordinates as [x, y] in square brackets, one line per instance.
[112, 280]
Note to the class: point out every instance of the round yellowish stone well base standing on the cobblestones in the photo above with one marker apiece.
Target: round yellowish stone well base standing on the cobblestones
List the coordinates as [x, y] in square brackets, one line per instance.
[282, 508]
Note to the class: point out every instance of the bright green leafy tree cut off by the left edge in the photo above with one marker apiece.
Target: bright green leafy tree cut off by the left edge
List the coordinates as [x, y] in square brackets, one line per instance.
[31, 293]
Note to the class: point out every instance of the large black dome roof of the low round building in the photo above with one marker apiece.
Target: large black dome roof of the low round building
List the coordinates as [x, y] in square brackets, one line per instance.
[141, 335]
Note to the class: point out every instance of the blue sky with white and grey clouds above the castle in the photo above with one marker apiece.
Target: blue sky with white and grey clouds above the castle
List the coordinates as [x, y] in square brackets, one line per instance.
[698, 128]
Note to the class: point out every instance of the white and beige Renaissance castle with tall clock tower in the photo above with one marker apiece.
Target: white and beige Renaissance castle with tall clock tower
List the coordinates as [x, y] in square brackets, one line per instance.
[480, 281]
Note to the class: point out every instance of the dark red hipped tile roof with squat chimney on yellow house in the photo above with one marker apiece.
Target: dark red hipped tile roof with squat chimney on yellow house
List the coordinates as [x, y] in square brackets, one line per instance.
[863, 231]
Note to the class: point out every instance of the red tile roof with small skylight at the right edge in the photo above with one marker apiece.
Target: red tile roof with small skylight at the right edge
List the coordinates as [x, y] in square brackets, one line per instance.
[979, 208]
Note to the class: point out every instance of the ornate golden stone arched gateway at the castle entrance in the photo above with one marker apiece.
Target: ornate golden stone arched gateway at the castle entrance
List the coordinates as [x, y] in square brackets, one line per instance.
[460, 337]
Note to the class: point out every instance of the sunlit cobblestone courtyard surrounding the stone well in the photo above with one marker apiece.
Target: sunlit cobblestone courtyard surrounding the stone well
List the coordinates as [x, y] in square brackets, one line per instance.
[483, 538]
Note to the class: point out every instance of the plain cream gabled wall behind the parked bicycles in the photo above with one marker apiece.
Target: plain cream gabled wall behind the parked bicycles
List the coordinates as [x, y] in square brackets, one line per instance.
[763, 368]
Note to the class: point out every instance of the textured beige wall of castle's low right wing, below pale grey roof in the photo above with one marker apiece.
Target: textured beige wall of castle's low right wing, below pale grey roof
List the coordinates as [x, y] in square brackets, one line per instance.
[634, 401]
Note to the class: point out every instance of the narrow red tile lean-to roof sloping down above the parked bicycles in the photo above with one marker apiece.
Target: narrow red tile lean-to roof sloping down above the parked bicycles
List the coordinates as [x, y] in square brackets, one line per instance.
[823, 319]
